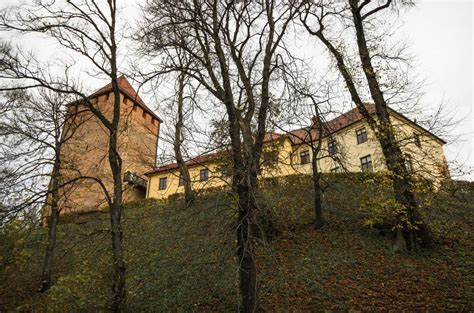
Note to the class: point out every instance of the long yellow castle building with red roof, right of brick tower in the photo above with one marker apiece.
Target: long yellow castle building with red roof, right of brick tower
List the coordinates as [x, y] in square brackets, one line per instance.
[347, 145]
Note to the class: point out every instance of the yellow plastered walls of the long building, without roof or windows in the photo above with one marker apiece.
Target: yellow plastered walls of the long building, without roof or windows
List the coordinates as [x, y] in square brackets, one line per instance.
[428, 161]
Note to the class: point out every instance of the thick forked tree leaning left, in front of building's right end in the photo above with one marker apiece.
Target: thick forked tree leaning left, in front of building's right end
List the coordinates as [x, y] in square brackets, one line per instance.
[412, 231]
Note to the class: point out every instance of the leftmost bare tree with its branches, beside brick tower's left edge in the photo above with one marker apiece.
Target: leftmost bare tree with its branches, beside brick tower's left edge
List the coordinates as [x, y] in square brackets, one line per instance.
[34, 130]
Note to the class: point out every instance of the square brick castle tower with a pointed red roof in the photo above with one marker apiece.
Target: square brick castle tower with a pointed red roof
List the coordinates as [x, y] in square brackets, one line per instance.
[85, 154]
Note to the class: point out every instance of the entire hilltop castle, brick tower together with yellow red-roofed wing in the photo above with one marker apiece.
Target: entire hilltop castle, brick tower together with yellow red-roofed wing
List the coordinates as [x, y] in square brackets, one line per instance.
[348, 145]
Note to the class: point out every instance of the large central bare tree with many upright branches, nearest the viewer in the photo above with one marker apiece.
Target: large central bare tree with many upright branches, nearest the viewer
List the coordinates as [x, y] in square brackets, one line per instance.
[235, 52]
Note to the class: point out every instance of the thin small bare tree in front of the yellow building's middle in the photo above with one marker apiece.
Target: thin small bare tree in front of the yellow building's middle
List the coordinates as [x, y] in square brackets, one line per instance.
[311, 104]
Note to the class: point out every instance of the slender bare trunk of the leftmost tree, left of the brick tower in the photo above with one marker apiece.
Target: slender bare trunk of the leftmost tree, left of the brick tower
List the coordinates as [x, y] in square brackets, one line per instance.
[52, 229]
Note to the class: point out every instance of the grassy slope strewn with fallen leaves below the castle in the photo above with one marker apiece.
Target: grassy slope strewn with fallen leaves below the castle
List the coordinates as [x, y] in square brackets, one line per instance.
[183, 259]
